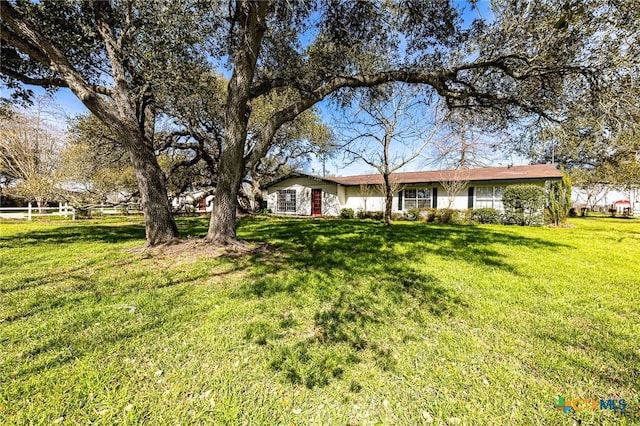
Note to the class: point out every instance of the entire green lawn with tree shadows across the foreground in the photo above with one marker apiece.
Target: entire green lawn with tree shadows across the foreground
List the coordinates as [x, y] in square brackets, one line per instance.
[334, 322]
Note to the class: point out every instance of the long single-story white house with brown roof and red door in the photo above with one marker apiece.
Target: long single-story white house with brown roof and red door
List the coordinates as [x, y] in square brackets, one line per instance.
[306, 195]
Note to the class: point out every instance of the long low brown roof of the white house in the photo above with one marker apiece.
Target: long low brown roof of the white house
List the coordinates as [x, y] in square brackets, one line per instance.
[513, 173]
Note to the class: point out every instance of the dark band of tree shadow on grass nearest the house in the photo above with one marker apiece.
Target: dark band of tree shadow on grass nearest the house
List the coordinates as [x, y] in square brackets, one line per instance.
[357, 246]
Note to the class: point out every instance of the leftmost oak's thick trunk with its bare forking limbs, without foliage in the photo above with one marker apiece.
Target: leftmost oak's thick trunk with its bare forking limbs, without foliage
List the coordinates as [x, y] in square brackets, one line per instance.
[159, 224]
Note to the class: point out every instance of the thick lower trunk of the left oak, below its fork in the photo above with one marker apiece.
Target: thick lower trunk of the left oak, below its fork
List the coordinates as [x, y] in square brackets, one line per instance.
[160, 227]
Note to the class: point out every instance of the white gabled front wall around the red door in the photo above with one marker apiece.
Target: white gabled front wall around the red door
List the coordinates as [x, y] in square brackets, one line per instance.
[303, 187]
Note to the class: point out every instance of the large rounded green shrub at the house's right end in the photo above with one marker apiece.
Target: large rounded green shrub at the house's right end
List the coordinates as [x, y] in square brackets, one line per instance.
[523, 204]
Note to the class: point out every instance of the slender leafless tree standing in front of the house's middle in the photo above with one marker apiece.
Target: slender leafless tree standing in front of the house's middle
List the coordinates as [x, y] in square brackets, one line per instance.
[387, 131]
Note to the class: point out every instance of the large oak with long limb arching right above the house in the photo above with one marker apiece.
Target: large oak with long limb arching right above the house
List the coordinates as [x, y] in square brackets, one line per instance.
[513, 66]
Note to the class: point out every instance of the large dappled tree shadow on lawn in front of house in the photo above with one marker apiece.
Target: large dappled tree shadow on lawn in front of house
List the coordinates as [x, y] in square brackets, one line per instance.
[364, 277]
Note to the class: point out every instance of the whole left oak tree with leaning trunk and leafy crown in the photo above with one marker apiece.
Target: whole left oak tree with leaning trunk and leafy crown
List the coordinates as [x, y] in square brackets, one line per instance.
[108, 53]
